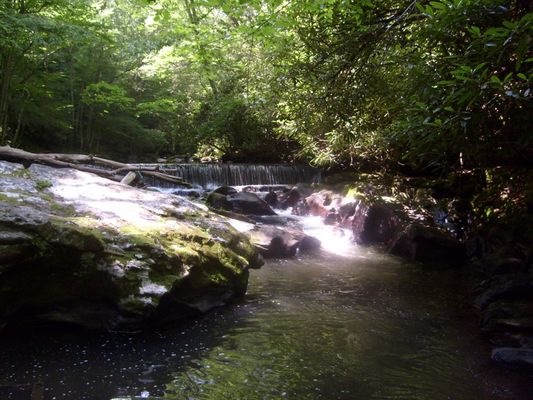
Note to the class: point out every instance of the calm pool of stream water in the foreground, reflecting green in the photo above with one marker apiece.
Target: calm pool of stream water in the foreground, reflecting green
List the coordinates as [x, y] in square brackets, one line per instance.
[324, 327]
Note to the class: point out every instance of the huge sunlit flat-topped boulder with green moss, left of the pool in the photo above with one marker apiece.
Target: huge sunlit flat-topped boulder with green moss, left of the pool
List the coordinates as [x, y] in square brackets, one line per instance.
[79, 249]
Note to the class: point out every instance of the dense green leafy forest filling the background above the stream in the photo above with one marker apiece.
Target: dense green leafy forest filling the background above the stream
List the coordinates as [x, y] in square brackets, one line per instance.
[413, 85]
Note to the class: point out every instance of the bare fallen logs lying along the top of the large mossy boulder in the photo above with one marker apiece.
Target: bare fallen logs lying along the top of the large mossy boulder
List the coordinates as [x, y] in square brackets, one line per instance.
[82, 162]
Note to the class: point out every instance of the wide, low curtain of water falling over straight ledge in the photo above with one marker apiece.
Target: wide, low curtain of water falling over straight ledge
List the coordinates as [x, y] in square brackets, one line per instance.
[210, 175]
